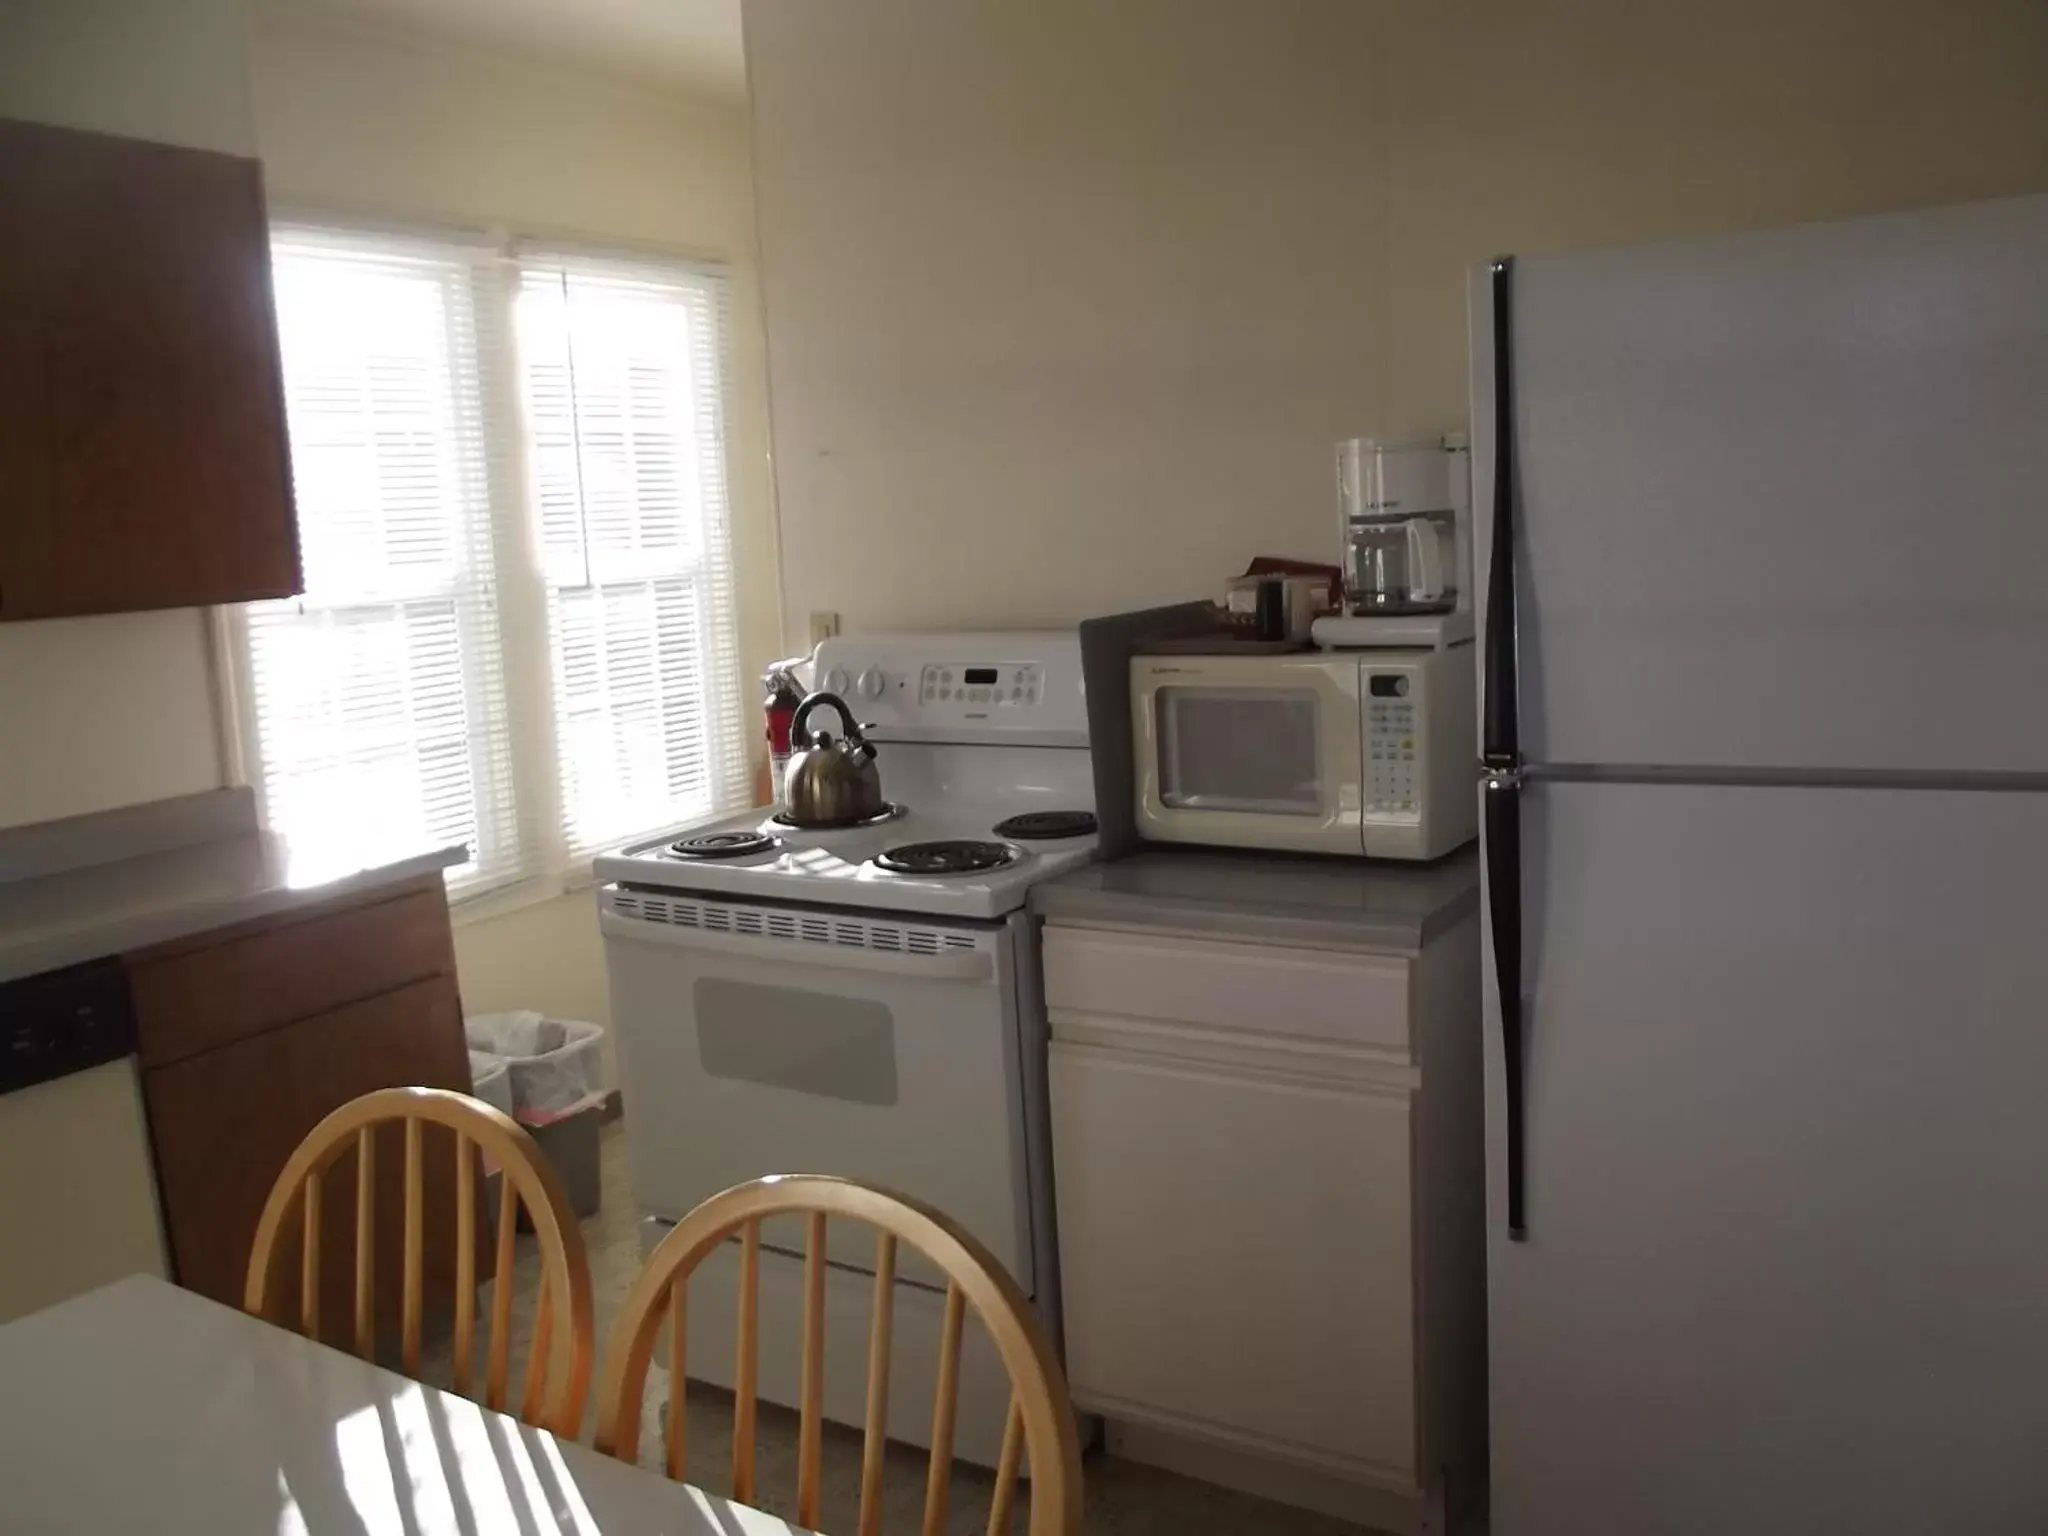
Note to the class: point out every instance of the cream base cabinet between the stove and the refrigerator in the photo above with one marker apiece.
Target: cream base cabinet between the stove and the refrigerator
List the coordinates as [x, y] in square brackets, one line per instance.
[1271, 1222]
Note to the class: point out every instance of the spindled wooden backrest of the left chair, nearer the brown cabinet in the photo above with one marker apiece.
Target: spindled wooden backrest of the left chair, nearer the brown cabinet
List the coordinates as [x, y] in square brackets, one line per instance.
[527, 1181]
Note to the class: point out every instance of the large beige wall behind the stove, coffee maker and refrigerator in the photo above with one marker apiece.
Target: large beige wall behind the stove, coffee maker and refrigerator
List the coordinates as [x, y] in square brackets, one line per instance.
[1068, 302]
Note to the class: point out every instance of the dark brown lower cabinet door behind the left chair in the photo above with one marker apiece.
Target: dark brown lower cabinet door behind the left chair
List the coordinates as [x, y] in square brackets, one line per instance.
[226, 1121]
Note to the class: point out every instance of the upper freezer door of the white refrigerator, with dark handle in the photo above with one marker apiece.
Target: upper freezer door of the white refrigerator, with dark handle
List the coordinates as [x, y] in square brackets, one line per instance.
[1783, 495]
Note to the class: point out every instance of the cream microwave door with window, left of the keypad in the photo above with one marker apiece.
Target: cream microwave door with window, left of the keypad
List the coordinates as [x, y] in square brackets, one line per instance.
[1248, 753]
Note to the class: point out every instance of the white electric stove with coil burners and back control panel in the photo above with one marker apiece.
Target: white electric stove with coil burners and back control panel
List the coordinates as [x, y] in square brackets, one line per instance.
[865, 1002]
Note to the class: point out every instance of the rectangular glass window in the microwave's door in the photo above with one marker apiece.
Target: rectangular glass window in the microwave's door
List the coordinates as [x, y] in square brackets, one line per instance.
[1240, 751]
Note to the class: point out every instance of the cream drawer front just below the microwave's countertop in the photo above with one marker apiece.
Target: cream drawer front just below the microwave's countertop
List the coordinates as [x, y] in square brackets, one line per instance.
[1330, 996]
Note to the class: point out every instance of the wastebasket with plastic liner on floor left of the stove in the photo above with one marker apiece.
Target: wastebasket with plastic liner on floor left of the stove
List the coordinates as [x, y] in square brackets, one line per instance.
[556, 1076]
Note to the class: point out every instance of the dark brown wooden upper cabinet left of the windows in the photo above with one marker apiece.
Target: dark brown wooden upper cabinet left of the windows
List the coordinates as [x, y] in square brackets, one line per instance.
[142, 417]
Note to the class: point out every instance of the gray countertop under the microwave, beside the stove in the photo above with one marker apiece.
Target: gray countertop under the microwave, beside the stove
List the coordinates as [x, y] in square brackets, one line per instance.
[1279, 898]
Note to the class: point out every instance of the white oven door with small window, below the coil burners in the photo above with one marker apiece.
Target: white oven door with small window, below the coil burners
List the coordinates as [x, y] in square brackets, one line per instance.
[790, 1041]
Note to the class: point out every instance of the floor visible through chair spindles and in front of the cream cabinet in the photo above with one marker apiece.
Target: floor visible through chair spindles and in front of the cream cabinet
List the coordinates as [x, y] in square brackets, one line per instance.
[1123, 1498]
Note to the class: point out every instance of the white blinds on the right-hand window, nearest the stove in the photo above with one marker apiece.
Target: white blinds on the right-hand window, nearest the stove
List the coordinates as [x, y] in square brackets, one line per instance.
[626, 417]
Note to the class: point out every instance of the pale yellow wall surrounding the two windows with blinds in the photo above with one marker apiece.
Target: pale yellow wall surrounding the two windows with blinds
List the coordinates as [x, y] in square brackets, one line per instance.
[384, 126]
